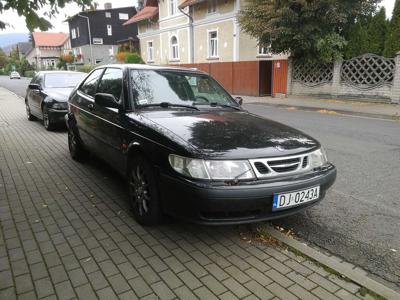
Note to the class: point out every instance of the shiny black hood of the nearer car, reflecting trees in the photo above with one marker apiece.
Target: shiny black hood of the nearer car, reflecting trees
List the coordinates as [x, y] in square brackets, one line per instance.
[231, 134]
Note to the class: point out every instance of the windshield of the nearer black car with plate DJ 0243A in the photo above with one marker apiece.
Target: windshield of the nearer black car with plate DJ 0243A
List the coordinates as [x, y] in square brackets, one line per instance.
[153, 87]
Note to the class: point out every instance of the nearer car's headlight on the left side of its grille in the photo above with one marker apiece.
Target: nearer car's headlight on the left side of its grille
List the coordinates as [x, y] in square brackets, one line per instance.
[212, 169]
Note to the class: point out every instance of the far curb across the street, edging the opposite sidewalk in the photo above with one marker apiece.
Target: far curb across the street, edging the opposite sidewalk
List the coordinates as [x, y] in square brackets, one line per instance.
[339, 112]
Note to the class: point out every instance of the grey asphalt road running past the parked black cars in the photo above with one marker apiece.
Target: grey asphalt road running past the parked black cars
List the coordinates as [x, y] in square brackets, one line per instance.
[359, 218]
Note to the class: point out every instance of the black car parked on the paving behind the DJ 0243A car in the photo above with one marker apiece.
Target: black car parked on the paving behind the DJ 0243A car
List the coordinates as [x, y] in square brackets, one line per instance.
[47, 96]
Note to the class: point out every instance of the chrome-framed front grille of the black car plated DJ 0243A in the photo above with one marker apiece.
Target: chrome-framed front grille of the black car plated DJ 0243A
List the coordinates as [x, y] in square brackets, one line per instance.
[280, 166]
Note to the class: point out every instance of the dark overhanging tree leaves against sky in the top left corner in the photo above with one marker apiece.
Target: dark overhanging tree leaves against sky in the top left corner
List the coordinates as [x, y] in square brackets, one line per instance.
[28, 9]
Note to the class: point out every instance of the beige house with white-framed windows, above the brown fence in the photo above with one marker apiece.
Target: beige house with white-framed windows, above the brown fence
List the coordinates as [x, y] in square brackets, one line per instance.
[195, 31]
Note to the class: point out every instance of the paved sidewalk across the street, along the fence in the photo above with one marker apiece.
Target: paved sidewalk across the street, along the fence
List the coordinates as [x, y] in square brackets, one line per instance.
[331, 105]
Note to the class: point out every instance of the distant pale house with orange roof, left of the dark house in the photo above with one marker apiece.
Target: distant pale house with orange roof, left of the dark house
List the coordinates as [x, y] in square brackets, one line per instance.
[47, 47]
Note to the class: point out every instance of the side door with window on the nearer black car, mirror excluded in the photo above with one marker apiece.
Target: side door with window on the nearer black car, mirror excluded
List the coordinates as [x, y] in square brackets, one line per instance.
[110, 120]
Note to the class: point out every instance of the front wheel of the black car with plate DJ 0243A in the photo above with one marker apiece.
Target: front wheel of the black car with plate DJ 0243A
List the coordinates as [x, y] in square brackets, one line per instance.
[143, 192]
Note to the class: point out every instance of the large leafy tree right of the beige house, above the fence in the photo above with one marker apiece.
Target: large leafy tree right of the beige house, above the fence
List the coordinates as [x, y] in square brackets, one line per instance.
[313, 30]
